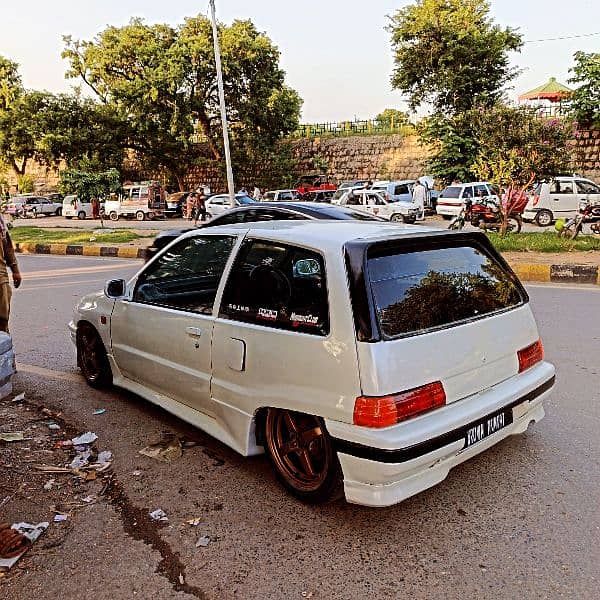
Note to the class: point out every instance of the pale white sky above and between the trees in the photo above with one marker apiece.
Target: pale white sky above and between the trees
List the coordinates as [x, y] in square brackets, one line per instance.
[336, 53]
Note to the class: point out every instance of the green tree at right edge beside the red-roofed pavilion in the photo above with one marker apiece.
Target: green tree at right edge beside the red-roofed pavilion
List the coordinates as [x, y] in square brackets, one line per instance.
[585, 101]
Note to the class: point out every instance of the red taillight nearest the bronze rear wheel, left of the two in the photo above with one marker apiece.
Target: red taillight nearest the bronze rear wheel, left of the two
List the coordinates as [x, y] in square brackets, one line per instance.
[383, 411]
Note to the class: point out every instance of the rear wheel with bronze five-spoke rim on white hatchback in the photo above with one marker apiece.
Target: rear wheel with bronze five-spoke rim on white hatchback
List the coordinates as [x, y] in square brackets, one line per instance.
[301, 453]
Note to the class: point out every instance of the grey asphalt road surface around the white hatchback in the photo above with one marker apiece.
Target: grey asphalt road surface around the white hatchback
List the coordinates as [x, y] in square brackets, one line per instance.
[521, 520]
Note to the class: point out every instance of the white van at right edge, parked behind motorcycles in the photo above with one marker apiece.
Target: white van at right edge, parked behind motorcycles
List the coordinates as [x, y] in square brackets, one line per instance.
[559, 199]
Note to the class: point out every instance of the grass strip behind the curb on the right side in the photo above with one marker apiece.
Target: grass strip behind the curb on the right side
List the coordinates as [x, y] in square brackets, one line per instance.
[543, 242]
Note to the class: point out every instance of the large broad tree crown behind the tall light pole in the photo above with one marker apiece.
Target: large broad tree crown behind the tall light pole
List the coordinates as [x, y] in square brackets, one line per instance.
[162, 81]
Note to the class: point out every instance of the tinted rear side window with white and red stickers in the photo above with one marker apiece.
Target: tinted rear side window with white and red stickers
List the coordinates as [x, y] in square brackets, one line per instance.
[278, 285]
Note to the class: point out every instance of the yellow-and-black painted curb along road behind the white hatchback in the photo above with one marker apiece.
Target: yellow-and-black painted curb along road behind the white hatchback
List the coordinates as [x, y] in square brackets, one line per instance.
[563, 273]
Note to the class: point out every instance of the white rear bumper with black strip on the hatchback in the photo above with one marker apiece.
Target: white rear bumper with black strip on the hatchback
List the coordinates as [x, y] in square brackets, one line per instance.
[384, 467]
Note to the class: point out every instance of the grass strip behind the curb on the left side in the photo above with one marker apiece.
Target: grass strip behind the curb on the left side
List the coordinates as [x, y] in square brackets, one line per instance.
[40, 235]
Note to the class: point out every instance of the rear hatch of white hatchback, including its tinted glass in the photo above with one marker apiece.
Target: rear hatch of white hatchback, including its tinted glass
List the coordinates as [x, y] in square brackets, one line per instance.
[444, 308]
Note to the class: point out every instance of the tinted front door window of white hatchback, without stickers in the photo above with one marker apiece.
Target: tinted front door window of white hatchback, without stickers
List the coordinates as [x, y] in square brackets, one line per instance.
[187, 276]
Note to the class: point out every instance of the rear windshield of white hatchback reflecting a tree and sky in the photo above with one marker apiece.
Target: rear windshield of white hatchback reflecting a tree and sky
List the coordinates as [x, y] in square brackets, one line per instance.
[416, 292]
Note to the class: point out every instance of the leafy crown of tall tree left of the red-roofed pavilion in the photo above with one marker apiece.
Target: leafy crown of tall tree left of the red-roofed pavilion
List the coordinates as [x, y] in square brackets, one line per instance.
[450, 53]
